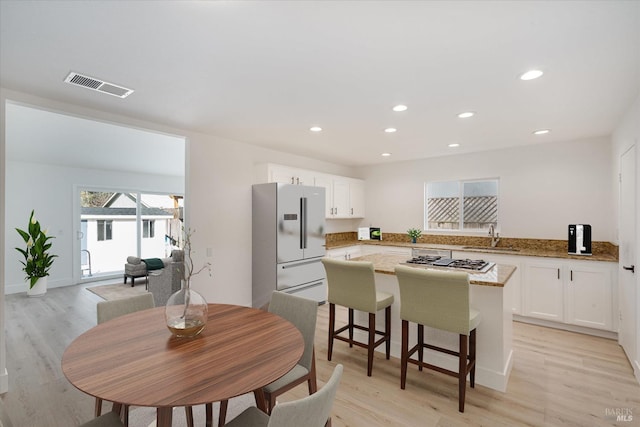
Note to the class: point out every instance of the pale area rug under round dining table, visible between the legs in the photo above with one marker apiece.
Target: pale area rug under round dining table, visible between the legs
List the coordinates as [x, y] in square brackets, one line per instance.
[146, 417]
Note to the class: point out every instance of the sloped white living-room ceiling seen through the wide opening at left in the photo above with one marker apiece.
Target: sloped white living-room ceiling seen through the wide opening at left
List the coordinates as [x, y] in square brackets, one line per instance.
[40, 136]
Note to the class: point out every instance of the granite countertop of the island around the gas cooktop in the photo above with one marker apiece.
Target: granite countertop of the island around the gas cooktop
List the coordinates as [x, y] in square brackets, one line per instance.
[386, 263]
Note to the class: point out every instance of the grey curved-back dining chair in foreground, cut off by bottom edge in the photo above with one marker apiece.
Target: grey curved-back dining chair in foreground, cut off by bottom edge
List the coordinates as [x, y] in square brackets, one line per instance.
[311, 411]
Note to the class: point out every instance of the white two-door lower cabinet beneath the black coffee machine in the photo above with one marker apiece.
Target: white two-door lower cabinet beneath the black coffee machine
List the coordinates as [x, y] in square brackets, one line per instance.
[574, 292]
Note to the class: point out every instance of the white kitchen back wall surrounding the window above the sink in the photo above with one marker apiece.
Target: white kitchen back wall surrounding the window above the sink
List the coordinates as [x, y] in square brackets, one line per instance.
[543, 188]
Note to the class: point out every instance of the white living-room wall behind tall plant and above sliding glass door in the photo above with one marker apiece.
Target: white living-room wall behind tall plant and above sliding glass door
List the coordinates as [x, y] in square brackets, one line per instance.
[52, 191]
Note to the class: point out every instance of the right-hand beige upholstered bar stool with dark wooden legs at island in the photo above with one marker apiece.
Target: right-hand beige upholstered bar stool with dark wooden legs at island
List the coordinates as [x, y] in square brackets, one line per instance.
[438, 299]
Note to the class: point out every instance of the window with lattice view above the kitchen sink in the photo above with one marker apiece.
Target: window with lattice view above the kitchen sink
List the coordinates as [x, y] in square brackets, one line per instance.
[461, 205]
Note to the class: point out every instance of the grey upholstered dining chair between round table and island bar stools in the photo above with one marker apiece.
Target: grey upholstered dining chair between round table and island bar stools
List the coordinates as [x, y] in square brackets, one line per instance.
[302, 312]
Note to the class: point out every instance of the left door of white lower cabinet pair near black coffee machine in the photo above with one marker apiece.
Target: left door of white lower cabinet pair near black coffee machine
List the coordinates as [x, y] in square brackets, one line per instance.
[544, 291]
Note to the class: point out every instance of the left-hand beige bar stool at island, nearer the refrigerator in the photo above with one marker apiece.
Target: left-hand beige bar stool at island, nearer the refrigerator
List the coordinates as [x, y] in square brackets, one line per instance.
[352, 284]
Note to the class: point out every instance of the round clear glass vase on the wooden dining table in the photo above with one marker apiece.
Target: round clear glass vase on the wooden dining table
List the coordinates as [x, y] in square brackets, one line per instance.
[186, 313]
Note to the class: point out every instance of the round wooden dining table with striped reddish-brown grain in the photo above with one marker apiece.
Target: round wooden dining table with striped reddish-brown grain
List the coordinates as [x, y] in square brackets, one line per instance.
[135, 360]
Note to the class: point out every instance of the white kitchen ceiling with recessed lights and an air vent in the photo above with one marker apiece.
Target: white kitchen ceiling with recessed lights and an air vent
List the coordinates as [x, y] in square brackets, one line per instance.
[264, 72]
